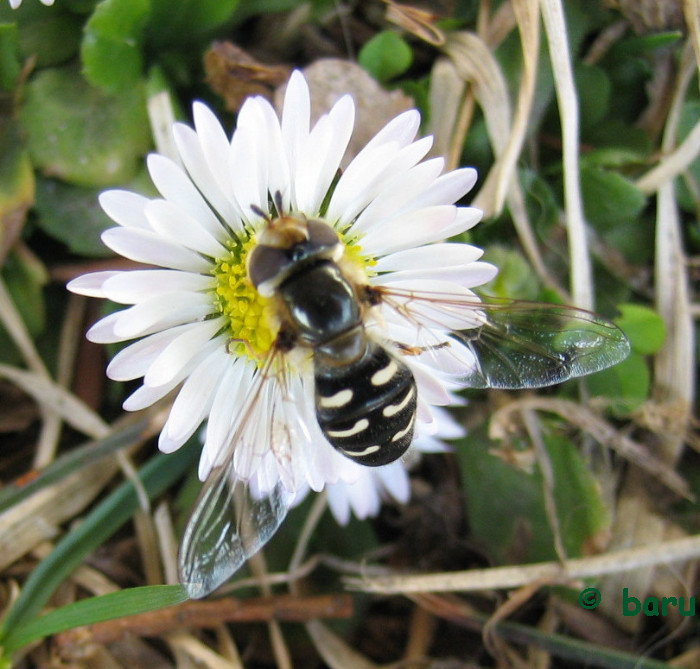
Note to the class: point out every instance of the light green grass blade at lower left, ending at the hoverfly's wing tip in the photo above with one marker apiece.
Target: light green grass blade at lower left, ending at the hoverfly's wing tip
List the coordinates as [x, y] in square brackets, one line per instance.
[113, 605]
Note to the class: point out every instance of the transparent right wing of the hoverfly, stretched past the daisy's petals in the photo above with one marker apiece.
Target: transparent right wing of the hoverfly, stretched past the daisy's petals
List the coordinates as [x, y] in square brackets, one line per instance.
[506, 344]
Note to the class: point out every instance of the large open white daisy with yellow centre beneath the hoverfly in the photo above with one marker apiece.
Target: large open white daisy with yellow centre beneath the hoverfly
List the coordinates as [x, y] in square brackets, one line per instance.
[199, 323]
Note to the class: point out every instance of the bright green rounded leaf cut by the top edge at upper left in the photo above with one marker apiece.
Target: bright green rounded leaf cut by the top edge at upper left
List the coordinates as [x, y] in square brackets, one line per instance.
[112, 44]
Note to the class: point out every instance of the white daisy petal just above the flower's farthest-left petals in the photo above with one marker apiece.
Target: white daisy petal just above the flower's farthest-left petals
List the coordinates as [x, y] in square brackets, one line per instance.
[150, 248]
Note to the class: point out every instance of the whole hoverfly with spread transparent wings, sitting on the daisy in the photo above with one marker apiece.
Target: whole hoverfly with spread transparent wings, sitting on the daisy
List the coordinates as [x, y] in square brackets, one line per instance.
[365, 392]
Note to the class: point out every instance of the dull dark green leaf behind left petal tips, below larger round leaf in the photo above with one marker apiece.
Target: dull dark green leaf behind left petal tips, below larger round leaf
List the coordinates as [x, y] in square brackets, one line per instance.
[72, 215]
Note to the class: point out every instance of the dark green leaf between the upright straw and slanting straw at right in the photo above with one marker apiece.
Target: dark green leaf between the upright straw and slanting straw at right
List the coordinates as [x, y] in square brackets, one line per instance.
[609, 198]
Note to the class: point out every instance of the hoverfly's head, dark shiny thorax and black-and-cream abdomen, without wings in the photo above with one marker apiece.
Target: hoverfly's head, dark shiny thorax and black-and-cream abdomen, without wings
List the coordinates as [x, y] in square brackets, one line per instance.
[365, 396]
